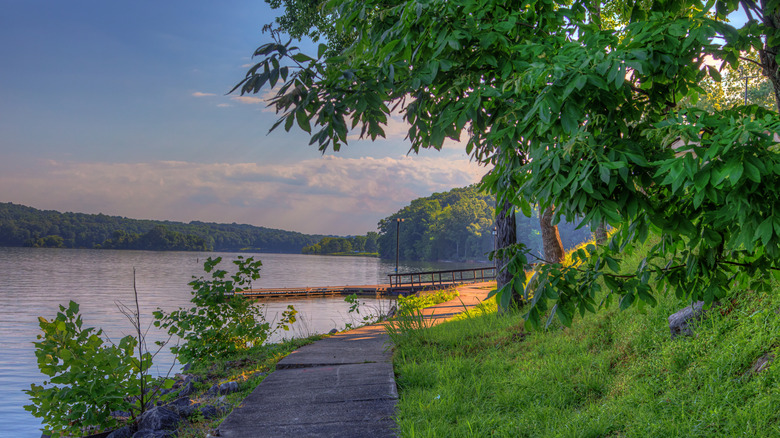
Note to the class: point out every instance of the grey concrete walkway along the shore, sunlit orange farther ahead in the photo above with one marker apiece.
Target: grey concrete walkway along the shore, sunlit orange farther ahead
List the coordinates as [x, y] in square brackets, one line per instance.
[340, 386]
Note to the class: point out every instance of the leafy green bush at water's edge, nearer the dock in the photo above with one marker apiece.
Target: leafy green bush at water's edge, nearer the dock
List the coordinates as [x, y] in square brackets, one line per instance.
[222, 321]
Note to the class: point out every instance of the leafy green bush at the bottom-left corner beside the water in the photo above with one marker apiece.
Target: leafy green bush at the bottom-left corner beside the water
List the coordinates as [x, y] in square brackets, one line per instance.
[87, 378]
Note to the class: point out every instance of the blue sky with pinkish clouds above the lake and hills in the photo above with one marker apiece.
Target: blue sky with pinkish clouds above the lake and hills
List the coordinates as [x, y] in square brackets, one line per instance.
[120, 107]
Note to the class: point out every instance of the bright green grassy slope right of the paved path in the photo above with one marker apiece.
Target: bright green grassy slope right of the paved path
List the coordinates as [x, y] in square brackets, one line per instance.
[611, 374]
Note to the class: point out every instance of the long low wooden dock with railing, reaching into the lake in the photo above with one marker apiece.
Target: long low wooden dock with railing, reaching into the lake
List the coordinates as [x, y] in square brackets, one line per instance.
[399, 284]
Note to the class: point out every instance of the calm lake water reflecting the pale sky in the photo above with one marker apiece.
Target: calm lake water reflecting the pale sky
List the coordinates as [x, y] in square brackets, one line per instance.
[35, 281]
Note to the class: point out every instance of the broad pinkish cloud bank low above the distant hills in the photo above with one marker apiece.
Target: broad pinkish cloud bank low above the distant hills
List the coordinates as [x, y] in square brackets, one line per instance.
[329, 195]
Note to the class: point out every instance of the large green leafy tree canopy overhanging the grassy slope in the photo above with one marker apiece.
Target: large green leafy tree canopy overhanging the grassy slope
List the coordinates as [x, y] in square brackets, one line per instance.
[573, 111]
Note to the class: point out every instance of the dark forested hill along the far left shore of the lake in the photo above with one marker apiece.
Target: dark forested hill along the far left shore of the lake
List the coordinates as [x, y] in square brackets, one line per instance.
[27, 226]
